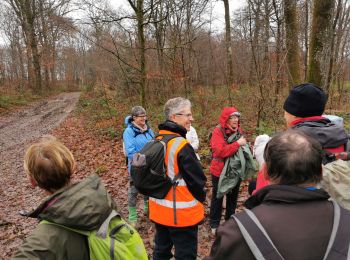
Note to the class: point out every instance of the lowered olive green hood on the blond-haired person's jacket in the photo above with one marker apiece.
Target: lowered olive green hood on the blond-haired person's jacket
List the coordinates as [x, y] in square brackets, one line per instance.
[84, 205]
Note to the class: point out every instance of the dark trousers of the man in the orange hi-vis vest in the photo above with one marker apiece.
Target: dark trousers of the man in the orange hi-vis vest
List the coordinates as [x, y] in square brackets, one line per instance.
[184, 239]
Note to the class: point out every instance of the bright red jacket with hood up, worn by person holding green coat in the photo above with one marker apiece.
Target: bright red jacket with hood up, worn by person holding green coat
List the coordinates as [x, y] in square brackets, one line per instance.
[220, 148]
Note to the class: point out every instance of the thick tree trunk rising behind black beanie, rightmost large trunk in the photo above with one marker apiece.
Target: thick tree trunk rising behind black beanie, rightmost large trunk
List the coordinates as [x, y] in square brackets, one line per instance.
[320, 40]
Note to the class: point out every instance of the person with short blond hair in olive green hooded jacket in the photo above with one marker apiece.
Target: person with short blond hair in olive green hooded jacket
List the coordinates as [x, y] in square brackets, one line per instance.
[85, 205]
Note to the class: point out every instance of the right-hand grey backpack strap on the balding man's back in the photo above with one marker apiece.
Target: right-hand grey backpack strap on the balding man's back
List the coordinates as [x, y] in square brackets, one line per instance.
[338, 246]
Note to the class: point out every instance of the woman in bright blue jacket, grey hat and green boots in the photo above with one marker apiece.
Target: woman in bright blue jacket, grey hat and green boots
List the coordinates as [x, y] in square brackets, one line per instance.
[135, 136]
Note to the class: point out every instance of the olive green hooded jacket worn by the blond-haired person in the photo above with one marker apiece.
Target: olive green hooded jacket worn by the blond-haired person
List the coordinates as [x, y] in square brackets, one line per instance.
[84, 206]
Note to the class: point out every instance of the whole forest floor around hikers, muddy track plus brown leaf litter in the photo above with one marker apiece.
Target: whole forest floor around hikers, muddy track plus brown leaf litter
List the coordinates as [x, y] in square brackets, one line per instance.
[93, 154]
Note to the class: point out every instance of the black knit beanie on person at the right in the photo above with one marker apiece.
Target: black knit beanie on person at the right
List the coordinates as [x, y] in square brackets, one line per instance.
[306, 100]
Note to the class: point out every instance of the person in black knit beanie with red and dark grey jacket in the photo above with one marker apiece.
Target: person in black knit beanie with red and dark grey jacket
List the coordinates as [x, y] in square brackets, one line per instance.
[303, 110]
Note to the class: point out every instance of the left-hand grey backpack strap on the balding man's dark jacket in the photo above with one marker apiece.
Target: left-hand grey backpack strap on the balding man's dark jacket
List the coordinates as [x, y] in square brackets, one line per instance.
[256, 236]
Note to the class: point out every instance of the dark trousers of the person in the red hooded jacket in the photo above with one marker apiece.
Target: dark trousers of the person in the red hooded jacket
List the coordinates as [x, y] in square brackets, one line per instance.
[216, 204]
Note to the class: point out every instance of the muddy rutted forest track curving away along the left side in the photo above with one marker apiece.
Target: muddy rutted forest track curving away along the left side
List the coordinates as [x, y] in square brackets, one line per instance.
[17, 131]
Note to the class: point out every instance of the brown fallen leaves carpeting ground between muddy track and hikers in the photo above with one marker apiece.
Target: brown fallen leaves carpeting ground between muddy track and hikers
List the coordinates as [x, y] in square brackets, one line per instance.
[91, 152]
